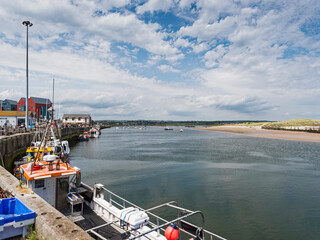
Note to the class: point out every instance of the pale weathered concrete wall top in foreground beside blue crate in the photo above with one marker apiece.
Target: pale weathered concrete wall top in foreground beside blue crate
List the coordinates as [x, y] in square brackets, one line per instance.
[50, 223]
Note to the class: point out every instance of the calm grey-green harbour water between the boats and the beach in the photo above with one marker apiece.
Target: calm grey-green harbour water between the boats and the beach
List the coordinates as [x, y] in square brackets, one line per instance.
[248, 188]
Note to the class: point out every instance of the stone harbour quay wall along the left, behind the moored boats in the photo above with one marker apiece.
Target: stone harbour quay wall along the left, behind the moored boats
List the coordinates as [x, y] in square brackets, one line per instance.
[49, 222]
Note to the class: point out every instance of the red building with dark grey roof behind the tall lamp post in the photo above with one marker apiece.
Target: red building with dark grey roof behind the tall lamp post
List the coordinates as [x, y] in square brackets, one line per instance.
[38, 106]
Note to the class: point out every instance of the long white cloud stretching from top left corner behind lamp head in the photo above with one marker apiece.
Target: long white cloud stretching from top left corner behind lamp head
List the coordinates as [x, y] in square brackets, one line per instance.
[53, 18]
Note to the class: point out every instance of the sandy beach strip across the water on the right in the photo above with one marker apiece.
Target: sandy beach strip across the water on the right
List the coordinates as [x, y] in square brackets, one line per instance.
[265, 133]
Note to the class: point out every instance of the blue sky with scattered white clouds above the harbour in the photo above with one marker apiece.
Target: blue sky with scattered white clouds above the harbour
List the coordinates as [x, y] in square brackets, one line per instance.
[166, 59]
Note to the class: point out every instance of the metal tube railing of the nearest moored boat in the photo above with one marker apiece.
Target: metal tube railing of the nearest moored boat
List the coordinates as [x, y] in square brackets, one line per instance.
[161, 223]
